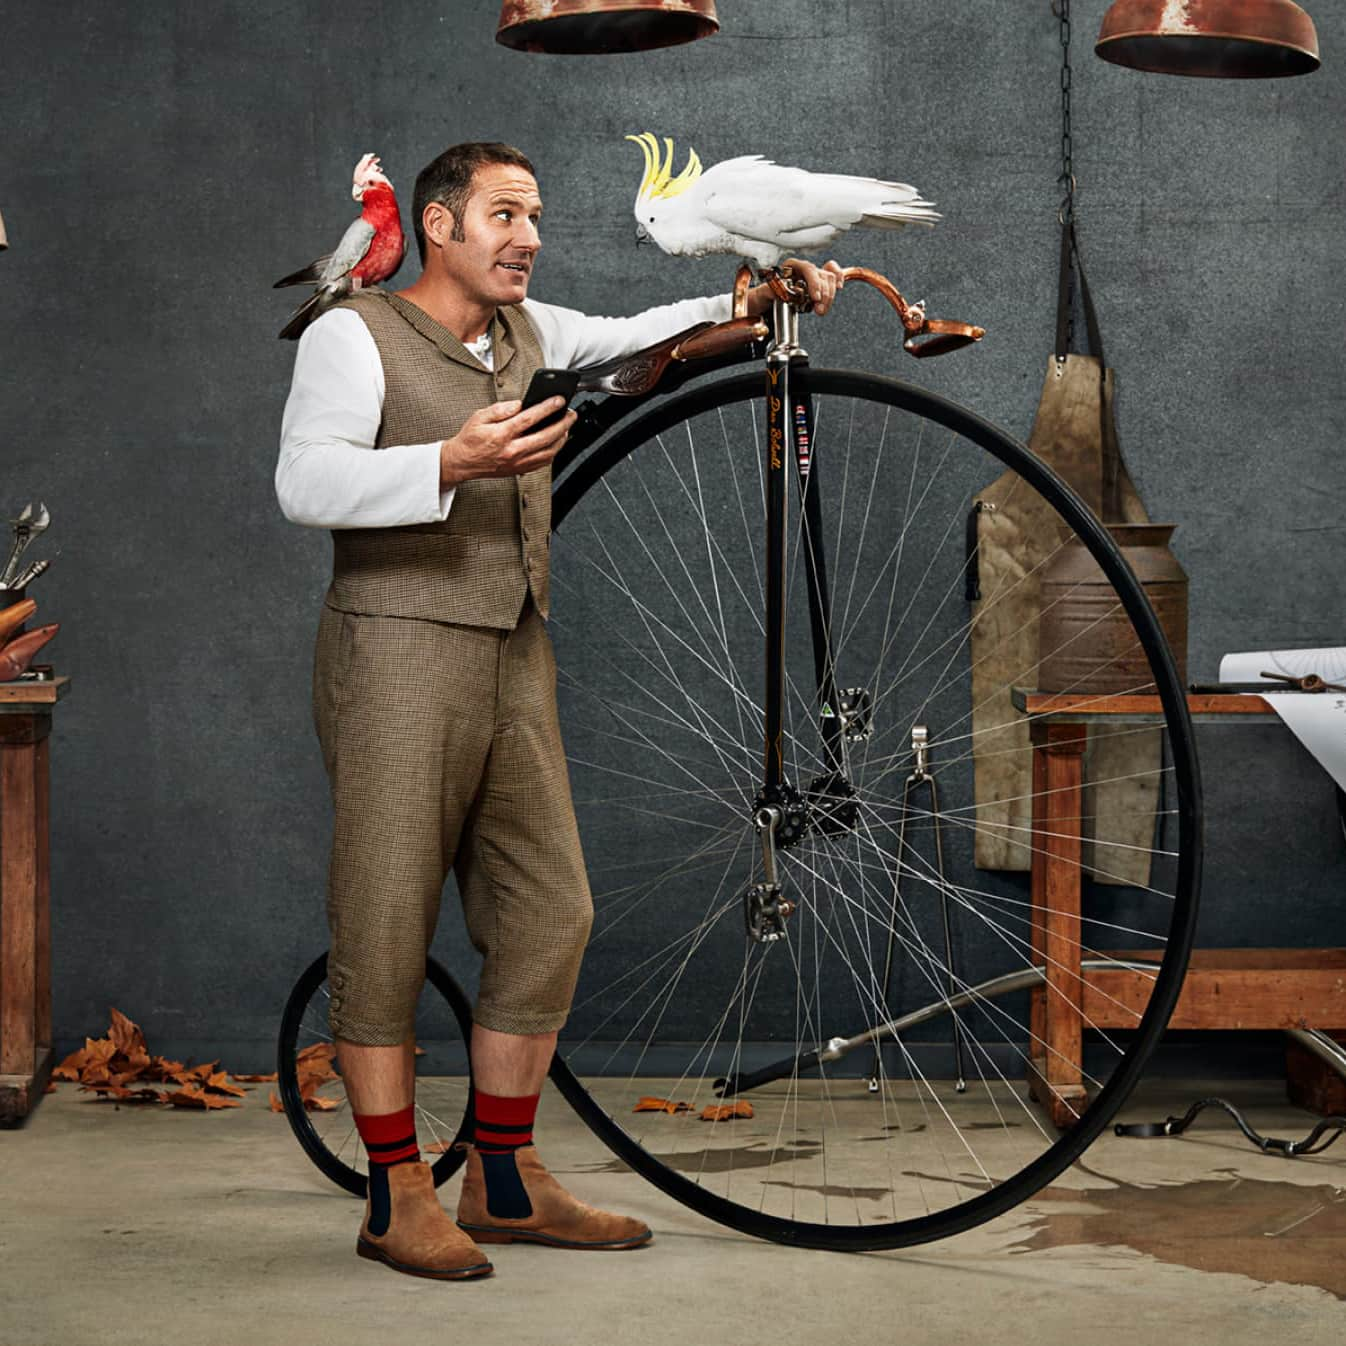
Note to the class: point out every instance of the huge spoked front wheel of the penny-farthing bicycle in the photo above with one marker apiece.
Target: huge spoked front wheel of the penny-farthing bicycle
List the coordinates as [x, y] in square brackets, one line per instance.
[656, 548]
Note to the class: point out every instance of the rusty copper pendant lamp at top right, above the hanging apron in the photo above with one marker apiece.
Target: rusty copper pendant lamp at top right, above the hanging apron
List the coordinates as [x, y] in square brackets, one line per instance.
[1230, 40]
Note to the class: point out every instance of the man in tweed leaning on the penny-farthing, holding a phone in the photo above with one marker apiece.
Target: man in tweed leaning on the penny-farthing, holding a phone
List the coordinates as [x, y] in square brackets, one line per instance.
[434, 691]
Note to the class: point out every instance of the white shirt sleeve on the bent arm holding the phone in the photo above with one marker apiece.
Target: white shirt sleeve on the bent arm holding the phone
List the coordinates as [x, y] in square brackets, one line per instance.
[329, 474]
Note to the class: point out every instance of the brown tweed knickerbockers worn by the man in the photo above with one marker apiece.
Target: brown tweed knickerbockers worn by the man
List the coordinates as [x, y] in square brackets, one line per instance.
[444, 752]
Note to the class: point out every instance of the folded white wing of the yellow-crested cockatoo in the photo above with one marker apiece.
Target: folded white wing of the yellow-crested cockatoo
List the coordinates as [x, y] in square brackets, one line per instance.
[763, 200]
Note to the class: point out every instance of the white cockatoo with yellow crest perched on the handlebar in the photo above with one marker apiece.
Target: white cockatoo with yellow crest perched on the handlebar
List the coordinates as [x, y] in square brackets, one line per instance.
[756, 209]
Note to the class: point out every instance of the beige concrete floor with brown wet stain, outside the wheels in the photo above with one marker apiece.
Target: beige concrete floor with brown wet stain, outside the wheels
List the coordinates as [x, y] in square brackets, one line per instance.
[135, 1226]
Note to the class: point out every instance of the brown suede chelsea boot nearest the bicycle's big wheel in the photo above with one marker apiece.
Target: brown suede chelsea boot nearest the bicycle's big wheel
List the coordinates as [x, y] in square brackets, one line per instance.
[558, 1219]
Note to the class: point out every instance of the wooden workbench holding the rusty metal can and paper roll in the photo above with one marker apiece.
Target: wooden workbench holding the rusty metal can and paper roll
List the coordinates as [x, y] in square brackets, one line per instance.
[1226, 989]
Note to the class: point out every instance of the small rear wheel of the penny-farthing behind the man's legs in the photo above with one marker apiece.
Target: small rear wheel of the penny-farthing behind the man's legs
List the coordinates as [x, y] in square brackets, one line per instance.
[445, 1020]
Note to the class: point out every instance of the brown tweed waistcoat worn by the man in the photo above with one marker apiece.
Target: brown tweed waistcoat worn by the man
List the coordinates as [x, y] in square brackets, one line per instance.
[476, 567]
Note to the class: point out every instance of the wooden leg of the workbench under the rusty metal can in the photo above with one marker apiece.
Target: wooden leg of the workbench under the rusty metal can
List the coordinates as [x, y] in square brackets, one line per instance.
[1056, 1076]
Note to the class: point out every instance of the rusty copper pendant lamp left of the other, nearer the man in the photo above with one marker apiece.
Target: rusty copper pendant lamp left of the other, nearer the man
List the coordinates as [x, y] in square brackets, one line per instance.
[575, 28]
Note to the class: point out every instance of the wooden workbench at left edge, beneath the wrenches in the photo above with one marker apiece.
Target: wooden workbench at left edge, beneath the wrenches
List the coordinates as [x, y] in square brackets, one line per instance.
[25, 894]
